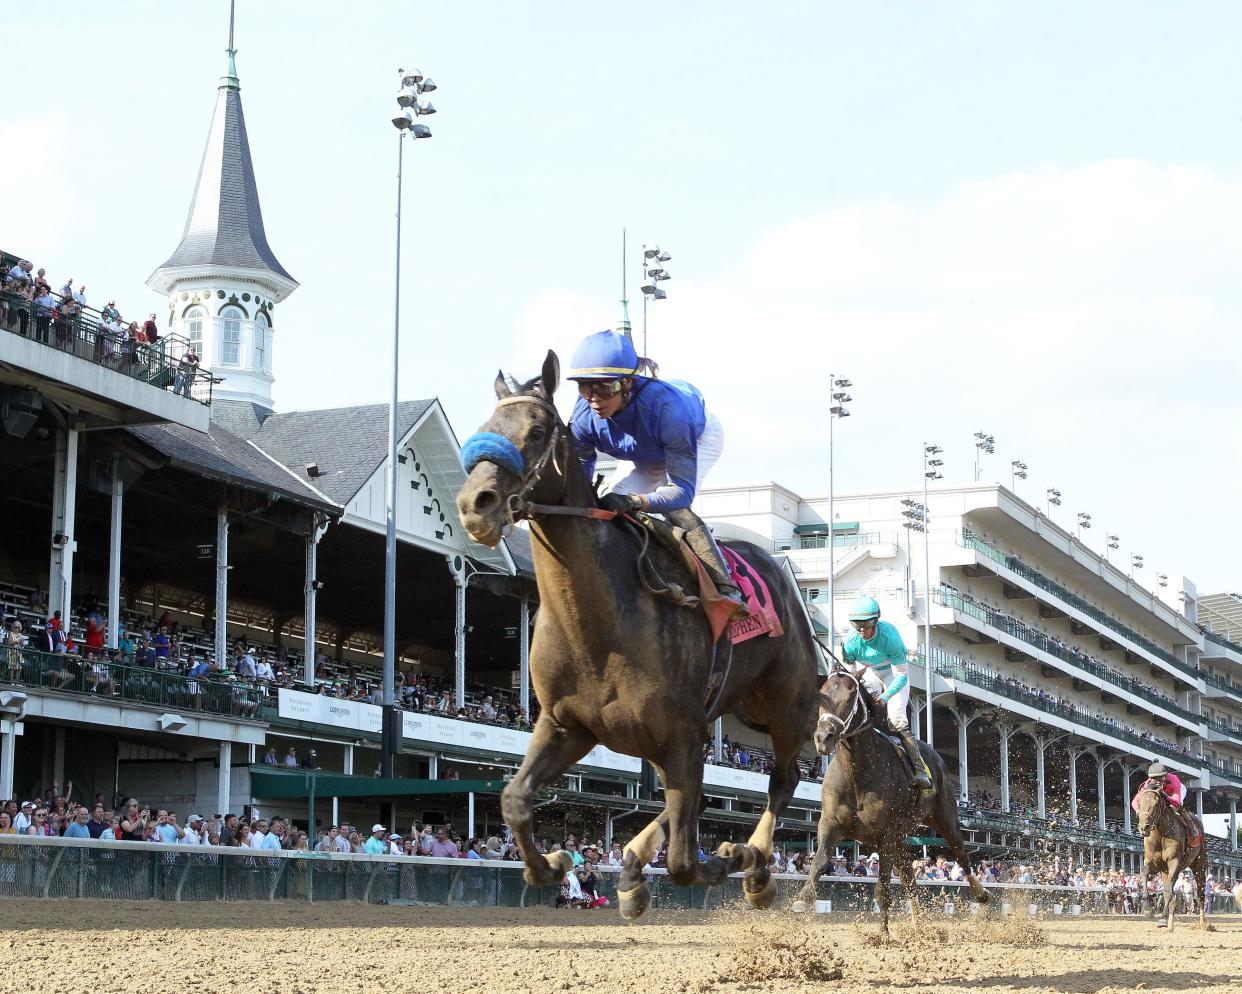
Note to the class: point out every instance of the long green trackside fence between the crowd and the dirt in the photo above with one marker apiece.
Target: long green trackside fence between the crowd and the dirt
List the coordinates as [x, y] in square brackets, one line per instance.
[145, 872]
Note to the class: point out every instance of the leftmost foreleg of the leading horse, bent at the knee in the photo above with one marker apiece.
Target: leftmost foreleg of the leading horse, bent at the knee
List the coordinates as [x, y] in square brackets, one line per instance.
[553, 750]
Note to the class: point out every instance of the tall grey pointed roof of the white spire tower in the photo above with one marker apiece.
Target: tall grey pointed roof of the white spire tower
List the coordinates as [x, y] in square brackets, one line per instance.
[225, 226]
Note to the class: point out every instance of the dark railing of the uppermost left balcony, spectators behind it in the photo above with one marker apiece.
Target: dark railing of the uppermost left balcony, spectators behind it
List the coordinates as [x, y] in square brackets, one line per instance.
[86, 336]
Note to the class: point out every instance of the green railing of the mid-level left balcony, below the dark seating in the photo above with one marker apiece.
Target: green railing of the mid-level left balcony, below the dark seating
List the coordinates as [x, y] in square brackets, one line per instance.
[138, 685]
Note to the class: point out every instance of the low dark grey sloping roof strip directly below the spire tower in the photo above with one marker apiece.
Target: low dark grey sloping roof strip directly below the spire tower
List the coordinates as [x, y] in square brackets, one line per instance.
[218, 454]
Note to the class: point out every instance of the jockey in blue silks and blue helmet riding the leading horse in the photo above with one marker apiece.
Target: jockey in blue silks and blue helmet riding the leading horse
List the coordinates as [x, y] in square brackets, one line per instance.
[661, 427]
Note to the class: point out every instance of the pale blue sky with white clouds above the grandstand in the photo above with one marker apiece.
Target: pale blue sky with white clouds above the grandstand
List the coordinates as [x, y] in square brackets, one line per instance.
[1022, 221]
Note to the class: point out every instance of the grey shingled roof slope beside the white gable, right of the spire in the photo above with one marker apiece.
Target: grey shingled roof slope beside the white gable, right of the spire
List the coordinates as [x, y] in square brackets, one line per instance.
[350, 444]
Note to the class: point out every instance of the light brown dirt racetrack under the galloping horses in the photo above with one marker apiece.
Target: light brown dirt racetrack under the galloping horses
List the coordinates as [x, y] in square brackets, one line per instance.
[345, 947]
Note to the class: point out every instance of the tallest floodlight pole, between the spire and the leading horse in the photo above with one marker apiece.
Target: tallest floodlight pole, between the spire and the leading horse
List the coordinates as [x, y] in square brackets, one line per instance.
[413, 106]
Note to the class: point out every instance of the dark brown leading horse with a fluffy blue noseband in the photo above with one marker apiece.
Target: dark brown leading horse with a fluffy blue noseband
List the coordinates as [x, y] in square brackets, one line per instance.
[614, 665]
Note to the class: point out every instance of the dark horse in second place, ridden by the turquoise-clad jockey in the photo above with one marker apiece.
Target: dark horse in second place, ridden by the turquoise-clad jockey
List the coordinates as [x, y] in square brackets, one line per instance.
[869, 796]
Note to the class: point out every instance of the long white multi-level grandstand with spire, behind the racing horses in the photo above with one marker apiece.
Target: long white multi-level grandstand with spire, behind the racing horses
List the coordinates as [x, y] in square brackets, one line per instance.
[218, 568]
